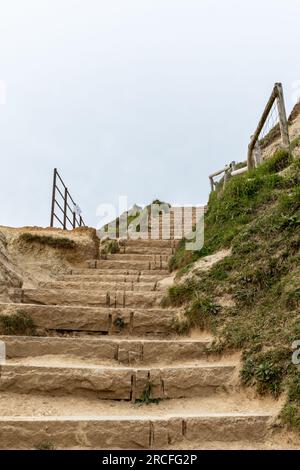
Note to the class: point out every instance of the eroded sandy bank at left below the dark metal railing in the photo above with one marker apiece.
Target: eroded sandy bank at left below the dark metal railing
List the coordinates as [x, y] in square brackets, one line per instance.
[24, 262]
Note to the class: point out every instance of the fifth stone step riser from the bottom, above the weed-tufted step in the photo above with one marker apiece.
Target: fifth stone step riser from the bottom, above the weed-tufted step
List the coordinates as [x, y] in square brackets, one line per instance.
[90, 297]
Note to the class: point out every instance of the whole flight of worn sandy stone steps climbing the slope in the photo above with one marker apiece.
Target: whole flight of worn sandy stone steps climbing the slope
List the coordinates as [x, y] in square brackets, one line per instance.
[108, 372]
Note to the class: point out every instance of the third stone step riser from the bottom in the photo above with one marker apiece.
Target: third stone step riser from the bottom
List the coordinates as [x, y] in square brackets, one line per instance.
[109, 350]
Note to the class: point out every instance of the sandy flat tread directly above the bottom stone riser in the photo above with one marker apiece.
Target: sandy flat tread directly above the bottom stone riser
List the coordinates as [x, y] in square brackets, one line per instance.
[222, 402]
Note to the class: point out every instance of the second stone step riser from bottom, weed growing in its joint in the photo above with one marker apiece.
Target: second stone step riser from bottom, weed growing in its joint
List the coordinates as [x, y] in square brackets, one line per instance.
[117, 383]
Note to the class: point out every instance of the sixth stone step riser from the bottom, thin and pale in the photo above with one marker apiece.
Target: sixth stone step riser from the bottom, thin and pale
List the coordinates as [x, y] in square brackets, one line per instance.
[100, 285]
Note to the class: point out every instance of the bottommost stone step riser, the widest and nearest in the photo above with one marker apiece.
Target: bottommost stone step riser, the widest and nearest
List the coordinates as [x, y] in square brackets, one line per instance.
[133, 432]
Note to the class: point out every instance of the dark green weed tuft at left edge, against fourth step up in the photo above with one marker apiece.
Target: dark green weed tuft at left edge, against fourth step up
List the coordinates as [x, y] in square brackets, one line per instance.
[19, 323]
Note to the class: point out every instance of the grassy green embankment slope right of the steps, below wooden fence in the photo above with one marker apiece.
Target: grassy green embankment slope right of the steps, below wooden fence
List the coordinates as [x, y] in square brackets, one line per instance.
[251, 299]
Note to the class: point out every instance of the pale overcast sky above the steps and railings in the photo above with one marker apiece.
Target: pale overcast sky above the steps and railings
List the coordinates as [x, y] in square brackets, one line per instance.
[142, 98]
